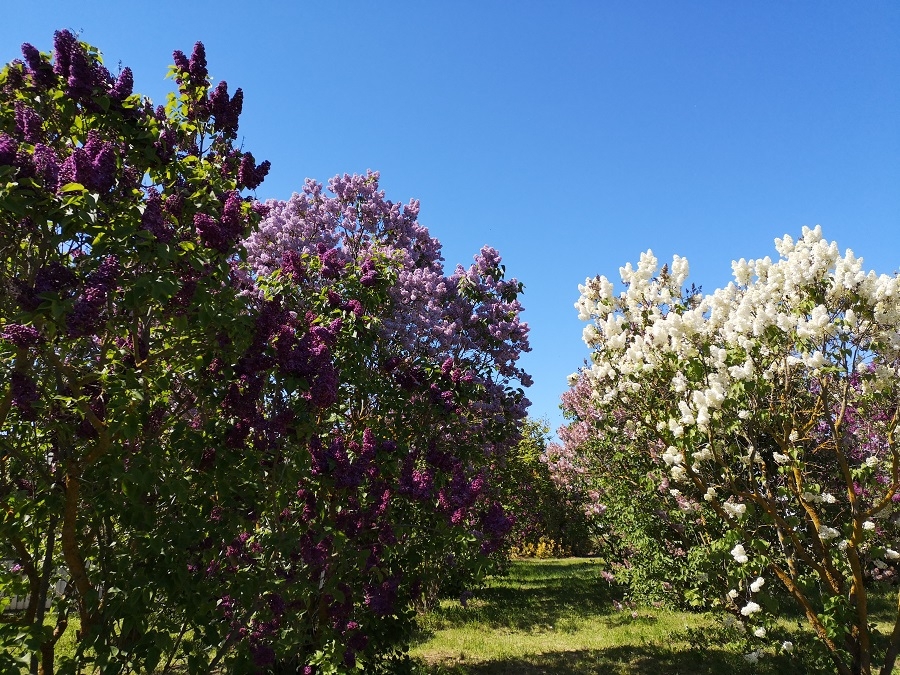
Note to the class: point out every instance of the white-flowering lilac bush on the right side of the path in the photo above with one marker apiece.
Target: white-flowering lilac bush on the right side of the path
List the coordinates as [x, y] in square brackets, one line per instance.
[769, 410]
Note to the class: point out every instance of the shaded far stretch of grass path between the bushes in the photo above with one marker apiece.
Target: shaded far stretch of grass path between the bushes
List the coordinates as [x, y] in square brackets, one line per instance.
[534, 595]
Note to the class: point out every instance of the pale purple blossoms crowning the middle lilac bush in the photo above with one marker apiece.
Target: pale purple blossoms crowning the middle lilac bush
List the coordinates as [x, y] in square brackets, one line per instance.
[472, 312]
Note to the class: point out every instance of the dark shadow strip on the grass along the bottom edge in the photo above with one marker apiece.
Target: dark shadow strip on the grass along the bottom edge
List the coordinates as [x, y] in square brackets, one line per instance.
[630, 660]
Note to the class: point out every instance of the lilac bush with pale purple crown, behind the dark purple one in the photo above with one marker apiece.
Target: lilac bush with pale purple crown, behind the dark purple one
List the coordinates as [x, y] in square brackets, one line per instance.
[445, 349]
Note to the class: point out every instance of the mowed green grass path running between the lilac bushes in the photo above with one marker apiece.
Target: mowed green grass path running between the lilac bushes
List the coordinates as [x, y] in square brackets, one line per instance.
[556, 617]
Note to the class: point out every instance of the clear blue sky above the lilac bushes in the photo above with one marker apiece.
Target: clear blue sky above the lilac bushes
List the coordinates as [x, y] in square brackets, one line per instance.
[571, 136]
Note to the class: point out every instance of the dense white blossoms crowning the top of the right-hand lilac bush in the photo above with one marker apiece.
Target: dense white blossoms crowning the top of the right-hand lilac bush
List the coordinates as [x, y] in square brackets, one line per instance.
[634, 331]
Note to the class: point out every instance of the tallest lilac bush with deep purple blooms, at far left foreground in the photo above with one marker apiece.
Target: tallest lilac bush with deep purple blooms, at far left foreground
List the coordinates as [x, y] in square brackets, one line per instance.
[113, 304]
